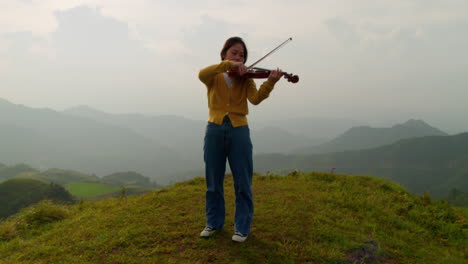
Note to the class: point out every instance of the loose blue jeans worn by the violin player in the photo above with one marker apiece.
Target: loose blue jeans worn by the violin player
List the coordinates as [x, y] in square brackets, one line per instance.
[221, 142]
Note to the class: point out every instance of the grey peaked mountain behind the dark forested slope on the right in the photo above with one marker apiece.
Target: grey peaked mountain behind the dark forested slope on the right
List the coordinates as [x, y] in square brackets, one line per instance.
[365, 137]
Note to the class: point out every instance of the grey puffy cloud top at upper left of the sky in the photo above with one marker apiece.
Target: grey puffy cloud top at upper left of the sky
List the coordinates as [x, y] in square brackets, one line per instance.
[84, 35]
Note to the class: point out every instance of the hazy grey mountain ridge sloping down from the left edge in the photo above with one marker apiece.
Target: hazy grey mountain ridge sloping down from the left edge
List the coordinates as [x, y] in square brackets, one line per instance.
[44, 138]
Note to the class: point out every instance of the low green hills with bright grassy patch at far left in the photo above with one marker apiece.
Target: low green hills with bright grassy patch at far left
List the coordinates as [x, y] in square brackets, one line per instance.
[22, 186]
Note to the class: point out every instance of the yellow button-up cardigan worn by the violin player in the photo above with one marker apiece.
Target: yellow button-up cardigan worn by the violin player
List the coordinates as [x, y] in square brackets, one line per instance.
[223, 100]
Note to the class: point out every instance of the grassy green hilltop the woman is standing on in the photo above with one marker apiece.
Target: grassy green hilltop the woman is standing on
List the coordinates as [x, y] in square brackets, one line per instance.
[299, 218]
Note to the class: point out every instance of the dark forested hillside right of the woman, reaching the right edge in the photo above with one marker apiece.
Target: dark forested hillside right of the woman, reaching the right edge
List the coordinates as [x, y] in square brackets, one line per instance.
[436, 164]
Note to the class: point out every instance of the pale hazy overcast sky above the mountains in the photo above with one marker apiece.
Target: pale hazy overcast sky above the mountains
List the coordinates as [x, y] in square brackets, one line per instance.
[370, 60]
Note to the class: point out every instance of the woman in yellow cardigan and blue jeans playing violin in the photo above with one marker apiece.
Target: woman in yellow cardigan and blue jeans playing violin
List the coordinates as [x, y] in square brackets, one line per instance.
[228, 137]
